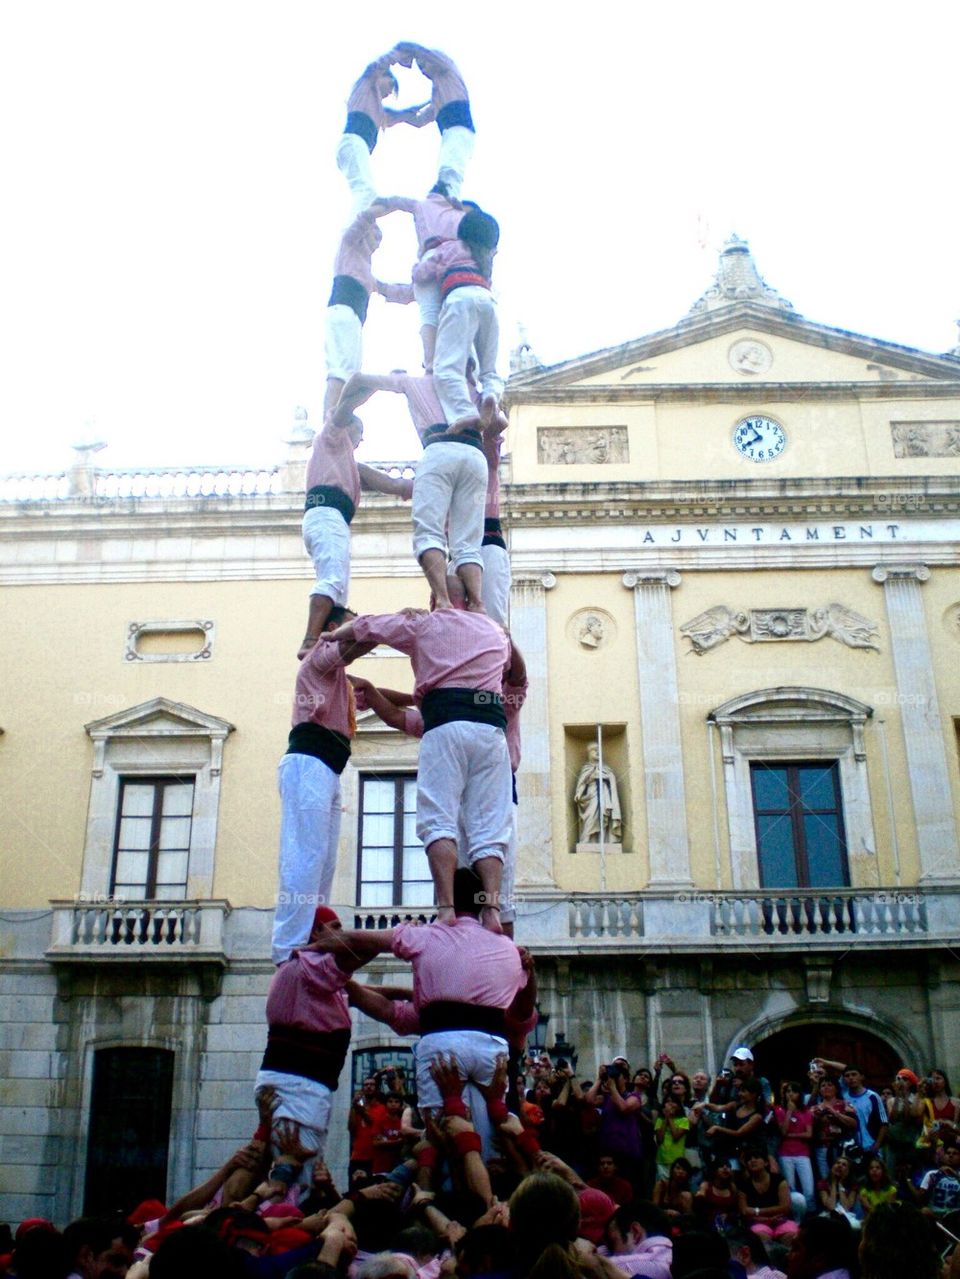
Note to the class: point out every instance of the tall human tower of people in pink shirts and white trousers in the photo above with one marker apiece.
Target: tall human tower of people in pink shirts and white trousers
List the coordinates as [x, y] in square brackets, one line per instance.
[470, 984]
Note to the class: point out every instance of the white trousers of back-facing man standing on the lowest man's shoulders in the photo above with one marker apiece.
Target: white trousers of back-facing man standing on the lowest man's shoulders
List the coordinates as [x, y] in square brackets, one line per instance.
[465, 789]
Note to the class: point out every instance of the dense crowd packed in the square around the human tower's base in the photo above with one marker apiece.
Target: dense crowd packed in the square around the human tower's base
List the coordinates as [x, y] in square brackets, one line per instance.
[641, 1172]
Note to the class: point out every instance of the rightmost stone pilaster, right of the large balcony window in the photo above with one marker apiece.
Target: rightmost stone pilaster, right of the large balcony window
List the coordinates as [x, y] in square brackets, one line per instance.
[920, 716]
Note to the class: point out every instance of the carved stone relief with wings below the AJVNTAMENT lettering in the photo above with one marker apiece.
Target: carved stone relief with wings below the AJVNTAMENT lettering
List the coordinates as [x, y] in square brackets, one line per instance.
[760, 626]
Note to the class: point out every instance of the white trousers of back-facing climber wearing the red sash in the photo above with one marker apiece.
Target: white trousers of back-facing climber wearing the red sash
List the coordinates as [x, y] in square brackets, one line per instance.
[467, 319]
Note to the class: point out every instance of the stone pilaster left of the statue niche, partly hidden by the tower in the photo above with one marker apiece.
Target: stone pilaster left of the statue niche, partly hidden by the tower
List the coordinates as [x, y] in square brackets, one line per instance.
[529, 626]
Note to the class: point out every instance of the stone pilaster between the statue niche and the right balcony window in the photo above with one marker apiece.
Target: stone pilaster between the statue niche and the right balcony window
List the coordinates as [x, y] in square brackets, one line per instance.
[668, 845]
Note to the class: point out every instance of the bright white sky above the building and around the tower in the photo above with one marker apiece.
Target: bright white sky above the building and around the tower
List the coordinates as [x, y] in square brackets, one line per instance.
[172, 204]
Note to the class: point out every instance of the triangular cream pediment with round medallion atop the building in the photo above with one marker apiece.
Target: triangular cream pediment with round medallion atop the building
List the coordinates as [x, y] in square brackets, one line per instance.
[743, 345]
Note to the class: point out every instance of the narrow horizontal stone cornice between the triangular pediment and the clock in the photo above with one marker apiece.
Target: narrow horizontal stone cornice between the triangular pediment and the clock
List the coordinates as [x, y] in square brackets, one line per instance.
[731, 393]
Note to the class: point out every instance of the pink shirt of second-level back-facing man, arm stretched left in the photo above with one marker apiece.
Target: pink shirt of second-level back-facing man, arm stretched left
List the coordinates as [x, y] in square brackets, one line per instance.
[448, 649]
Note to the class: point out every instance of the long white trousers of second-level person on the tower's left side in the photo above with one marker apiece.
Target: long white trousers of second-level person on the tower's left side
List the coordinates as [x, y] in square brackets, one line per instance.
[310, 831]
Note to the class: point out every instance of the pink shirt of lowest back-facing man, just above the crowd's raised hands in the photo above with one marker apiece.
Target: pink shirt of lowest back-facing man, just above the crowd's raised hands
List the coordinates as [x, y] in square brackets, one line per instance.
[461, 962]
